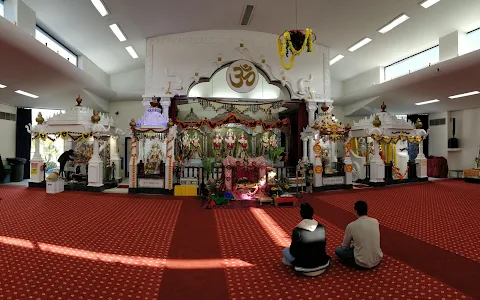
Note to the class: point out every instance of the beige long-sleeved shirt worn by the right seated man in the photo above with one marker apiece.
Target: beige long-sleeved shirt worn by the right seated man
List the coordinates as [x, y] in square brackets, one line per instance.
[364, 236]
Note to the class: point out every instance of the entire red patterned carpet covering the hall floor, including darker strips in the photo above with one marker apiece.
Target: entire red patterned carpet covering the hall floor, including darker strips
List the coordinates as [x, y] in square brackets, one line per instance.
[110, 246]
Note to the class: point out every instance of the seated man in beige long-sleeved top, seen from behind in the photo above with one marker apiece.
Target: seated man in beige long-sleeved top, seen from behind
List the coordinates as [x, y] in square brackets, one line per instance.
[361, 244]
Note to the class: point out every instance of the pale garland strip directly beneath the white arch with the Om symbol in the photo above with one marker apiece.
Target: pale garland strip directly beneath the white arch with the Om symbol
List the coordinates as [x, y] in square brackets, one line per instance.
[239, 108]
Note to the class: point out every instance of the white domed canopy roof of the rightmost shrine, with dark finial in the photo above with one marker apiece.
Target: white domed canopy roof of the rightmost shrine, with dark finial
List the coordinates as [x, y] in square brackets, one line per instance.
[381, 125]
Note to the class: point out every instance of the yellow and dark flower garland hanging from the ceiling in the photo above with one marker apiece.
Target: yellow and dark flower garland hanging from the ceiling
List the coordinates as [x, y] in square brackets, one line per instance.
[285, 45]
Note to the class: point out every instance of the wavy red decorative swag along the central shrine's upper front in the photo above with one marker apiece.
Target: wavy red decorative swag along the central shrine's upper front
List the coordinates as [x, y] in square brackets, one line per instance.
[232, 118]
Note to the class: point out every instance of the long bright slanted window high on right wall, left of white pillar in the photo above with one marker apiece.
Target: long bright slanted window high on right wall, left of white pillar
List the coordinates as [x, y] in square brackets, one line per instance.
[413, 63]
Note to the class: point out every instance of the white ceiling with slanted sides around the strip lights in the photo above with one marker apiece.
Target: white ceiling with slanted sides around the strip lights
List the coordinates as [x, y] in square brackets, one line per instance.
[337, 24]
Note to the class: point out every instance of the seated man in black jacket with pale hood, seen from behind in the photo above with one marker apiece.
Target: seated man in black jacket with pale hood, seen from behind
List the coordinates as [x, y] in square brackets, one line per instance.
[307, 250]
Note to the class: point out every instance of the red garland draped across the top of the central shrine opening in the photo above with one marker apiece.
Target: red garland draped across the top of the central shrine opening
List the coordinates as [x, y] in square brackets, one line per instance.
[233, 119]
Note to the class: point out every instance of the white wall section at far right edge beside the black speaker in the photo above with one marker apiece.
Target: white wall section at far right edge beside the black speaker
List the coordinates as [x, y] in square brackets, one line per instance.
[468, 134]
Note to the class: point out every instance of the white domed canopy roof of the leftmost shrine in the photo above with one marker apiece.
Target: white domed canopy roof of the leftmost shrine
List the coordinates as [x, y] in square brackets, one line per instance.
[76, 123]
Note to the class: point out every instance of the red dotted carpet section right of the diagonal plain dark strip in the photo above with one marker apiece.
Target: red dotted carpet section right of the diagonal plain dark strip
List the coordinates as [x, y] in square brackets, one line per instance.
[443, 213]
